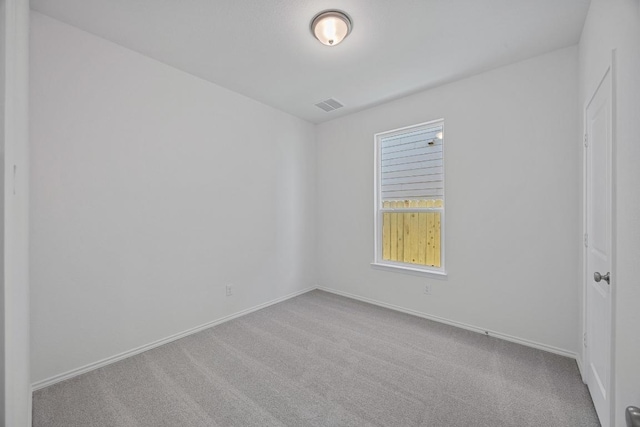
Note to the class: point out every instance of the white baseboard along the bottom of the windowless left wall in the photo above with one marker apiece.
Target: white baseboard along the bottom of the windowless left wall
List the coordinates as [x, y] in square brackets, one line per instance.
[109, 360]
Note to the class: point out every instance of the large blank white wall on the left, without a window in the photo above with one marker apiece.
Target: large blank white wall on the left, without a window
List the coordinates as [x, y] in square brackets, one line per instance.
[152, 189]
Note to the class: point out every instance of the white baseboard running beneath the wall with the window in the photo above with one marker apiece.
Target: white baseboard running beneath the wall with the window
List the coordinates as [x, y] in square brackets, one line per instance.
[506, 337]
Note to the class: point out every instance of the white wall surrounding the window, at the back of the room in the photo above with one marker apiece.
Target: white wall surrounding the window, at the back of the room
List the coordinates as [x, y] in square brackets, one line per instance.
[512, 201]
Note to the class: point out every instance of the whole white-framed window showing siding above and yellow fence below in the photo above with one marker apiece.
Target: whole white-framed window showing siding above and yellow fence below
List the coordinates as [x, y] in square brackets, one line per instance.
[409, 197]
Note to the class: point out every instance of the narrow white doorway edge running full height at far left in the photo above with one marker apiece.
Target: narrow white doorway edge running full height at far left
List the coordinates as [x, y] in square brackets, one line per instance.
[15, 140]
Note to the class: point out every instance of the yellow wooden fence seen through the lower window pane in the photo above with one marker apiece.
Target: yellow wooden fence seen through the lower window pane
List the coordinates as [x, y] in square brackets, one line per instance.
[412, 237]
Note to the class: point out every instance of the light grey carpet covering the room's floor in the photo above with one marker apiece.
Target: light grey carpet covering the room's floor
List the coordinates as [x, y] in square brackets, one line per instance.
[325, 360]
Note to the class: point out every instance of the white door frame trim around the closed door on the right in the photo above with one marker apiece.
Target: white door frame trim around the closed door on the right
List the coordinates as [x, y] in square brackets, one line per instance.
[611, 69]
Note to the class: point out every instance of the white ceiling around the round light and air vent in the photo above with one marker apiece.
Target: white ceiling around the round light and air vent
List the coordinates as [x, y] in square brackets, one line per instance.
[264, 48]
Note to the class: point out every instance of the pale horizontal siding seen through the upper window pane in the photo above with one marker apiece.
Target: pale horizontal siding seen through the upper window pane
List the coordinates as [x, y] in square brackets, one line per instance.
[412, 165]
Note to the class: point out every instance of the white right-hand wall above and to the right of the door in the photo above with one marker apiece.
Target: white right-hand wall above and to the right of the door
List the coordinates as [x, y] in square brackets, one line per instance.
[616, 25]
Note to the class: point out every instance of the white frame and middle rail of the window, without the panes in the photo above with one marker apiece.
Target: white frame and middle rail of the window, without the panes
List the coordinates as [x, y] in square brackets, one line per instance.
[378, 262]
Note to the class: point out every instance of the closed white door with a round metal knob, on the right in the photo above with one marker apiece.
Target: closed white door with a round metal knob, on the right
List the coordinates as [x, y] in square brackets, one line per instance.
[598, 242]
